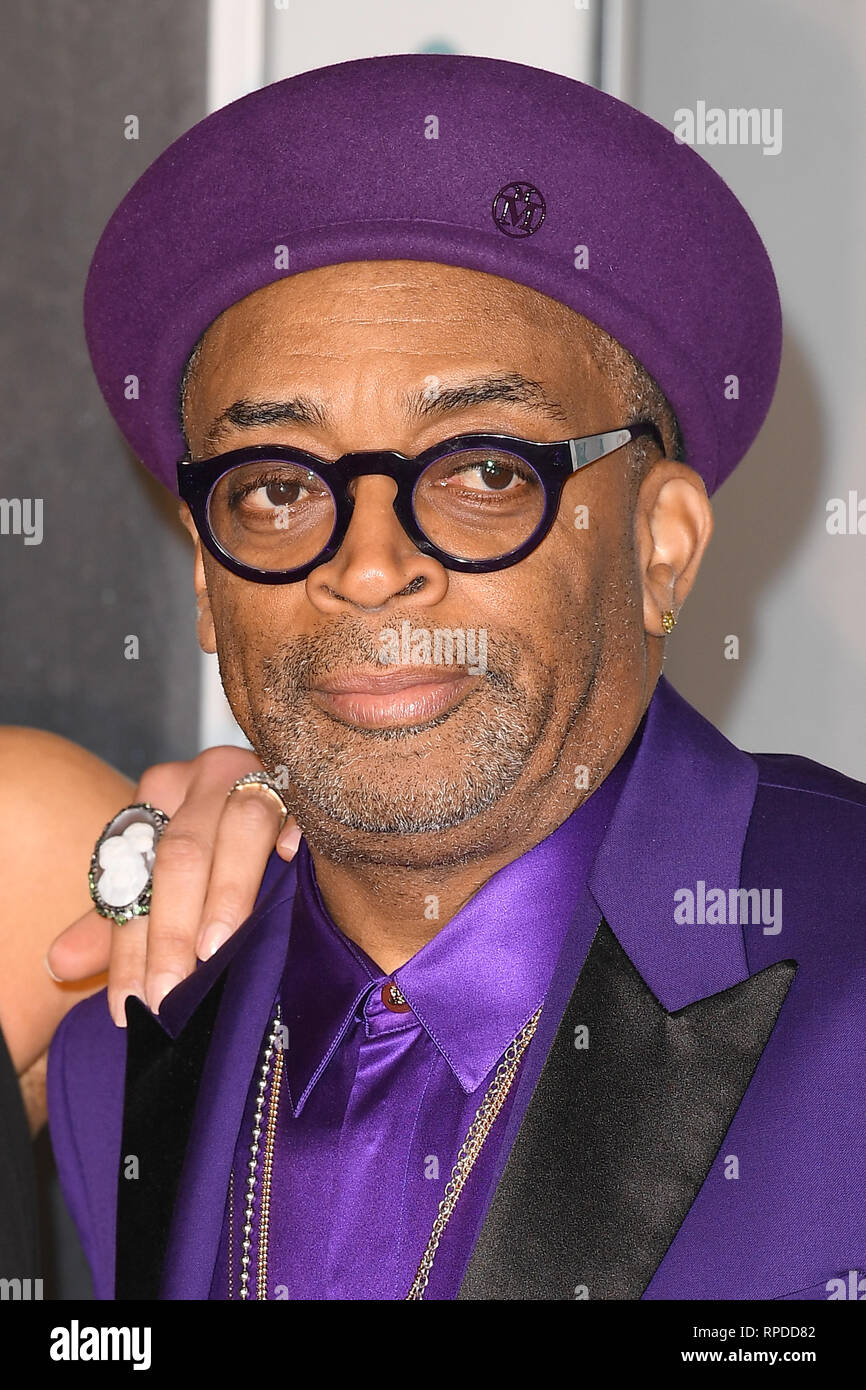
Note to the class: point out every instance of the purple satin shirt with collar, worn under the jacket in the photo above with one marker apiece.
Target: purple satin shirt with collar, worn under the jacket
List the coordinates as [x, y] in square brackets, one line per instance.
[376, 1104]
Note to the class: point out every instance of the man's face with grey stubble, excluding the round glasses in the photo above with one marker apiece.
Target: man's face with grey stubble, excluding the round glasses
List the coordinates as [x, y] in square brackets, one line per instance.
[450, 765]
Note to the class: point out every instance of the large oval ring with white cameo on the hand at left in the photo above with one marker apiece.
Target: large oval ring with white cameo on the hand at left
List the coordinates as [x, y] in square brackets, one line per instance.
[122, 865]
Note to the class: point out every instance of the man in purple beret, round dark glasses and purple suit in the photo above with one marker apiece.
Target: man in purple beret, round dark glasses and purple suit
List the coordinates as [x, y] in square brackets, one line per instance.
[558, 1000]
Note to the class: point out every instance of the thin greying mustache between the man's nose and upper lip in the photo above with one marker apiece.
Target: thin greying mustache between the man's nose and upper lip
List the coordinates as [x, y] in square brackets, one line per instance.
[351, 644]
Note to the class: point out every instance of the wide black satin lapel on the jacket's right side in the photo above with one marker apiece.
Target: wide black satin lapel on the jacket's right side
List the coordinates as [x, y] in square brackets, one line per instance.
[619, 1136]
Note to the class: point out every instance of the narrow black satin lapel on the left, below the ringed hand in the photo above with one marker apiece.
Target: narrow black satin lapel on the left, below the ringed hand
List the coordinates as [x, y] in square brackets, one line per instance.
[159, 1100]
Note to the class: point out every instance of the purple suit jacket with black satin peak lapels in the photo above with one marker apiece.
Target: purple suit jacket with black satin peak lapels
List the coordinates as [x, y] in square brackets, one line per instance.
[710, 1143]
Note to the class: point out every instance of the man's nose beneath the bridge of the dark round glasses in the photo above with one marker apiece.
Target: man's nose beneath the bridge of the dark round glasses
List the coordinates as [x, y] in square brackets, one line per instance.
[377, 561]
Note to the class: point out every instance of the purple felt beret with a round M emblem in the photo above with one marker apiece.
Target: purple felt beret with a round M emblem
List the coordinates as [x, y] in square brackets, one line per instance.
[471, 162]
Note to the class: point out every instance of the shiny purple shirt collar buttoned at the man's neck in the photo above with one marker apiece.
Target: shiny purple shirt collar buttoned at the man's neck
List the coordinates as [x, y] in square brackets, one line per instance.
[477, 983]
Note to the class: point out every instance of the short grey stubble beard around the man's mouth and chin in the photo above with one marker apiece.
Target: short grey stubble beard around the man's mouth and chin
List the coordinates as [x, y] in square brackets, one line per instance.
[319, 753]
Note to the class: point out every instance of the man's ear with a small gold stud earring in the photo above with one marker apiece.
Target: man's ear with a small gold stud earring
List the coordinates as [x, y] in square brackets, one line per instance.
[673, 525]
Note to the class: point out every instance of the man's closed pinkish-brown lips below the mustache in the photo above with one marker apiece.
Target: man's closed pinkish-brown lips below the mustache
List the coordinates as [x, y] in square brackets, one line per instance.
[408, 697]
